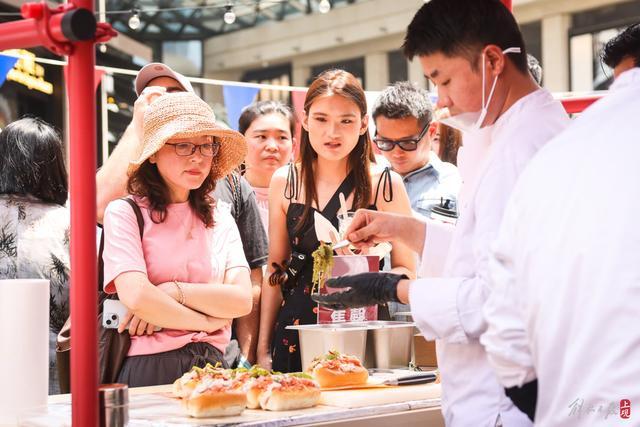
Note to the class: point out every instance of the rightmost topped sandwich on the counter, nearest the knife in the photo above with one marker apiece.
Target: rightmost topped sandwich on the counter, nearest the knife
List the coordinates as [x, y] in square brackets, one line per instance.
[338, 370]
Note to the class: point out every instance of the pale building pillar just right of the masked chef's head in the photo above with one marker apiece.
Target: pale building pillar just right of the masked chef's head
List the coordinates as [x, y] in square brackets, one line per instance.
[555, 52]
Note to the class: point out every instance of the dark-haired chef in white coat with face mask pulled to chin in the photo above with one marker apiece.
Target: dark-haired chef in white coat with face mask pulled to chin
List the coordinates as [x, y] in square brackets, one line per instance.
[473, 51]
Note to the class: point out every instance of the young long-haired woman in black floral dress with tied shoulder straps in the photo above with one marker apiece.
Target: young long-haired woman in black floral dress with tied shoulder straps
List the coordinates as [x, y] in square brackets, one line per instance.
[335, 156]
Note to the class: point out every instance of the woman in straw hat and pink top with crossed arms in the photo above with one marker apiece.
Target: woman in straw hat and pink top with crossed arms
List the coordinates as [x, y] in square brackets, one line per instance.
[187, 276]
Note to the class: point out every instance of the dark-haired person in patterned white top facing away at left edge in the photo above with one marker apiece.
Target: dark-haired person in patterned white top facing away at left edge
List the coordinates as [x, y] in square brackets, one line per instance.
[34, 219]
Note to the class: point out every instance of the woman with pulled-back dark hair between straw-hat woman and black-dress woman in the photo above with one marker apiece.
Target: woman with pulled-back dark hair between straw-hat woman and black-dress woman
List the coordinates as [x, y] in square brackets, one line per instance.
[268, 127]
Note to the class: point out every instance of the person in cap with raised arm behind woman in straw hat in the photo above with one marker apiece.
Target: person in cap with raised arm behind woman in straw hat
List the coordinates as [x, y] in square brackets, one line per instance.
[232, 192]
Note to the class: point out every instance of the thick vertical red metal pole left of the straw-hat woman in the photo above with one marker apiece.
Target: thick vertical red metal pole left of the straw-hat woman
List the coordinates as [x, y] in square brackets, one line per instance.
[82, 120]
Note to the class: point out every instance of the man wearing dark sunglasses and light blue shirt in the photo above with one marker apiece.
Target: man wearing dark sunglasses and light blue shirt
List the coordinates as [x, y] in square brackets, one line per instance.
[402, 115]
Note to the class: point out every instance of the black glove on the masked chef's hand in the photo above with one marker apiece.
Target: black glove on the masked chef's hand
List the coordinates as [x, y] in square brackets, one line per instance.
[366, 289]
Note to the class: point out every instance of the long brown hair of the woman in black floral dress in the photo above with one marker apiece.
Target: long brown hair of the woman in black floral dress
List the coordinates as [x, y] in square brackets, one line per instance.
[343, 83]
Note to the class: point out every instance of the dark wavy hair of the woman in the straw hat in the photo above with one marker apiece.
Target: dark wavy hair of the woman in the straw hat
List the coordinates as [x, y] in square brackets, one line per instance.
[147, 182]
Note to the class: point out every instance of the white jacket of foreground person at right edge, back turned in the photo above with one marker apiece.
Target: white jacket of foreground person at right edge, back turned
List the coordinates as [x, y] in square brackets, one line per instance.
[566, 270]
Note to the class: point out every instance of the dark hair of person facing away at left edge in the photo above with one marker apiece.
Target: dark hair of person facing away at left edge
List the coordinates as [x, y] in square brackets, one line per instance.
[32, 161]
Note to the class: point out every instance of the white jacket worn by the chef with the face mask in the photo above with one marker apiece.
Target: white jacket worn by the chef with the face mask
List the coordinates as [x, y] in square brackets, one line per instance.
[449, 308]
